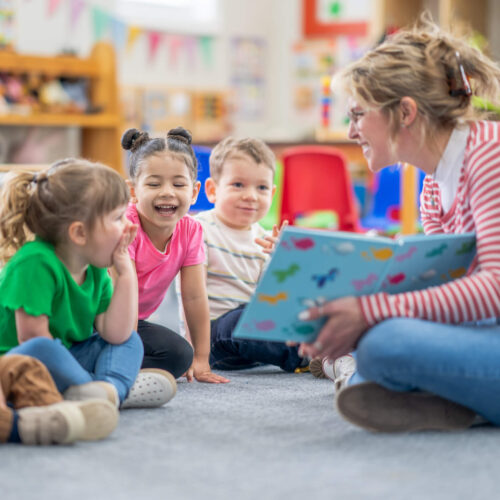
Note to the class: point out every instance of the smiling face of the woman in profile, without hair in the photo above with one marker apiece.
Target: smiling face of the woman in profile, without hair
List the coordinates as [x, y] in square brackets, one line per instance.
[370, 128]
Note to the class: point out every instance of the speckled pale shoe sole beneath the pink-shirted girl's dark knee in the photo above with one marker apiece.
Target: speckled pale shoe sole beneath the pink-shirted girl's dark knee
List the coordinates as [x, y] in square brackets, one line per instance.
[152, 388]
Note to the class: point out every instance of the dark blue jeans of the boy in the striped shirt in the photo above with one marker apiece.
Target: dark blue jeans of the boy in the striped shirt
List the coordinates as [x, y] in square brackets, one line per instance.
[227, 353]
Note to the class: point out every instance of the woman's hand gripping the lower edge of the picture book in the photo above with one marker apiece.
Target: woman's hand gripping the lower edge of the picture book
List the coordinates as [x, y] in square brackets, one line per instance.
[340, 334]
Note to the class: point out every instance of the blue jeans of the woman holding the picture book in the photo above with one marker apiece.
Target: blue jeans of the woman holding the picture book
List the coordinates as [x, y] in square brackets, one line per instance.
[460, 363]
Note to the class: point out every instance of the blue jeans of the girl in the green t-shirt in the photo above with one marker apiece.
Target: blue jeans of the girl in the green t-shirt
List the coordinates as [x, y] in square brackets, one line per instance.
[92, 359]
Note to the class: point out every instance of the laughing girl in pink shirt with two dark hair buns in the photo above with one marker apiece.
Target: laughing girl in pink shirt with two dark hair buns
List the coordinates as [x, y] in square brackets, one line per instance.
[163, 187]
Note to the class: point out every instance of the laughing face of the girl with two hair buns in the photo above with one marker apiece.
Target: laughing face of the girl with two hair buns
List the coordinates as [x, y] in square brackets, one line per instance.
[163, 192]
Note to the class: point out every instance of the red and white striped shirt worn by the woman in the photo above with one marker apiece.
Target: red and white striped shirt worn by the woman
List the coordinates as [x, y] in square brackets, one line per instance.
[476, 207]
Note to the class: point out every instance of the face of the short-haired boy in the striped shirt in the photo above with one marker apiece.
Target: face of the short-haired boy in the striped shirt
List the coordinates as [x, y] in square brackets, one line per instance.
[243, 192]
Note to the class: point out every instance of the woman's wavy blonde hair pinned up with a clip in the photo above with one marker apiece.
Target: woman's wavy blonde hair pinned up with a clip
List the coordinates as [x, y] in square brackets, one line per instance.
[423, 63]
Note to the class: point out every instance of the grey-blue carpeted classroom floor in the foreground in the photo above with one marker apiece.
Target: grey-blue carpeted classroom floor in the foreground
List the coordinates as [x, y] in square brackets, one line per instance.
[266, 435]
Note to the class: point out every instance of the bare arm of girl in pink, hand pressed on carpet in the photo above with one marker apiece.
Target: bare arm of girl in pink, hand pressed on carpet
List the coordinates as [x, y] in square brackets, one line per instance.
[195, 302]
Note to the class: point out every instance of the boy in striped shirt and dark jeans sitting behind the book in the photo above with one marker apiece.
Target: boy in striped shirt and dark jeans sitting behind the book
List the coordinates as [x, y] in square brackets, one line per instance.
[236, 246]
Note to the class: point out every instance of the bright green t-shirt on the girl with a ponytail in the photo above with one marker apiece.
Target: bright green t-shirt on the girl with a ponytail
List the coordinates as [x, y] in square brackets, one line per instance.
[36, 280]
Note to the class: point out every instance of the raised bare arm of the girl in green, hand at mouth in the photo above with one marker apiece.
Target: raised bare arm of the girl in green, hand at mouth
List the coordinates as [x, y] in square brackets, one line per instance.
[116, 324]
